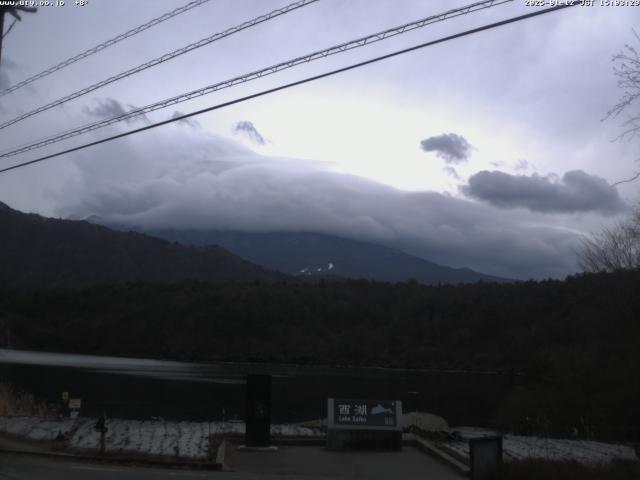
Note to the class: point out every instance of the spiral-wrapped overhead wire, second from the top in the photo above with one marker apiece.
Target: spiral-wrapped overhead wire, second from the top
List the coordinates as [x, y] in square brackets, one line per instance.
[166, 57]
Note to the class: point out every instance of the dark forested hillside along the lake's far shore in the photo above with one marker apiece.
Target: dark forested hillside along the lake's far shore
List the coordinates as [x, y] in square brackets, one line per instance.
[577, 340]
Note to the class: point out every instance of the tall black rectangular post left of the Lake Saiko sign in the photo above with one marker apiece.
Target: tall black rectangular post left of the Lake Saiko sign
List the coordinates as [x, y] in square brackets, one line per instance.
[258, 411]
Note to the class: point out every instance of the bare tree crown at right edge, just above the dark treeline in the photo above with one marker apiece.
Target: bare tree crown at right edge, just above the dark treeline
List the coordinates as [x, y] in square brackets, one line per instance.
[616, 248]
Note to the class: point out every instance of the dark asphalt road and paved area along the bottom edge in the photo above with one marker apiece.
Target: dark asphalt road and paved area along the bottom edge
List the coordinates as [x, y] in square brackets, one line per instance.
[308, 463]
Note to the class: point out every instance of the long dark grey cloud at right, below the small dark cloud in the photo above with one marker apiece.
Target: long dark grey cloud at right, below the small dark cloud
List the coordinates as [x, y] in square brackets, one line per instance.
[577, 191]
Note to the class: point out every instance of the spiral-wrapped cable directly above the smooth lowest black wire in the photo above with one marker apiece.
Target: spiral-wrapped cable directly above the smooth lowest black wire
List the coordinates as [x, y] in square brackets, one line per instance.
[360, 42]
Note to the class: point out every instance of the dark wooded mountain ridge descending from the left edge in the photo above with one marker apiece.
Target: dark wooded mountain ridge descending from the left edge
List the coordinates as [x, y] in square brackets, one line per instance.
[38, 252]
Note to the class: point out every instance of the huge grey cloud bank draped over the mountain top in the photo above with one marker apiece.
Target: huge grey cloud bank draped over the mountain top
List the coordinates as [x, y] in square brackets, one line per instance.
[216, 183]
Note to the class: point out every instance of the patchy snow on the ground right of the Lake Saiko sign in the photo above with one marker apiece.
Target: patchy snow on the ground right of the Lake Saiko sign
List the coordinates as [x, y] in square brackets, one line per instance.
[516, 447]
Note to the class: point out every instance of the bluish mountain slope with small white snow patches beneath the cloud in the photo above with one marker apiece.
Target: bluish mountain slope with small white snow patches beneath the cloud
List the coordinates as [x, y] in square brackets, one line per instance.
[313, 254]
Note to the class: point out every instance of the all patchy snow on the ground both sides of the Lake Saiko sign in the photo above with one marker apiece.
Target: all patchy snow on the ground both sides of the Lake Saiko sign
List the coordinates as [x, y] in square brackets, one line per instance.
[191, 439]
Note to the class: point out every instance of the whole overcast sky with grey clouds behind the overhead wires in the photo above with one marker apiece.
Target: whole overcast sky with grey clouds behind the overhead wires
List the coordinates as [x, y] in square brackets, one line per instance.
[488, 151]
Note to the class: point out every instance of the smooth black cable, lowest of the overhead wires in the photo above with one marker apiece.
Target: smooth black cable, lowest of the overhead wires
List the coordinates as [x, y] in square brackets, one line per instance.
[293, 84]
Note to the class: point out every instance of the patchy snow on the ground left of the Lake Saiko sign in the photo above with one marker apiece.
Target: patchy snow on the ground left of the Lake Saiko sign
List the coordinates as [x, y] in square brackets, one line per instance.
[174, 439]
